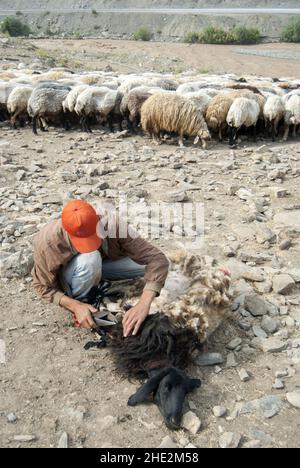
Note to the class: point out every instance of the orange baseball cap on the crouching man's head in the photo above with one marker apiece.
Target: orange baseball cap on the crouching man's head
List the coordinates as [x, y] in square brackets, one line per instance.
[80, 221]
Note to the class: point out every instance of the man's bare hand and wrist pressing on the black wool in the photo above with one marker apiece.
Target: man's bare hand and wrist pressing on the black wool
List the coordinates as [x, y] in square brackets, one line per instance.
[135, 317]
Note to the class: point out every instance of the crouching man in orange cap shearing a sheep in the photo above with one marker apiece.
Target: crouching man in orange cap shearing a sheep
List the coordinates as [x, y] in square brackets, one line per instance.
[70, 258]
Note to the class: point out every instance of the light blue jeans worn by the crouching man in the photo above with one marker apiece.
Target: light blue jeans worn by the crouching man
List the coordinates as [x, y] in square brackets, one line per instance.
[87, 270]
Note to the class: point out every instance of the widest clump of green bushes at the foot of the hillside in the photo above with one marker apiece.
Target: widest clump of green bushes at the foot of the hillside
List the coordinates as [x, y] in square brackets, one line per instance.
[213, 35]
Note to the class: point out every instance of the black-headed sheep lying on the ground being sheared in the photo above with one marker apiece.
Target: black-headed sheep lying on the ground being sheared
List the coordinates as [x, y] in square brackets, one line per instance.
[166, 340]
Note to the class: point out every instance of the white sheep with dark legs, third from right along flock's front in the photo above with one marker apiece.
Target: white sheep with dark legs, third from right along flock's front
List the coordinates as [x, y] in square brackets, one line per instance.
[243, 112]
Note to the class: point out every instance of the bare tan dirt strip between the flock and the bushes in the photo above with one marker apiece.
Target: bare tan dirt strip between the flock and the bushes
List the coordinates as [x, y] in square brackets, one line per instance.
[131, 56]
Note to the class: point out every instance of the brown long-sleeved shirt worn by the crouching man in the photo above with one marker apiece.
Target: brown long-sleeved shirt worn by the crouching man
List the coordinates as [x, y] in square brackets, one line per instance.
[53, 250]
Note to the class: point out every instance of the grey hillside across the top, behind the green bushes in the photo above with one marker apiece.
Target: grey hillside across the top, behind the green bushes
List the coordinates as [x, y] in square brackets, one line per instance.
[78, 19]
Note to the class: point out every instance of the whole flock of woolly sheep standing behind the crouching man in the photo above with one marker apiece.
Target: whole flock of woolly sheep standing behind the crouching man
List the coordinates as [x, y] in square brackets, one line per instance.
[200, 107]
